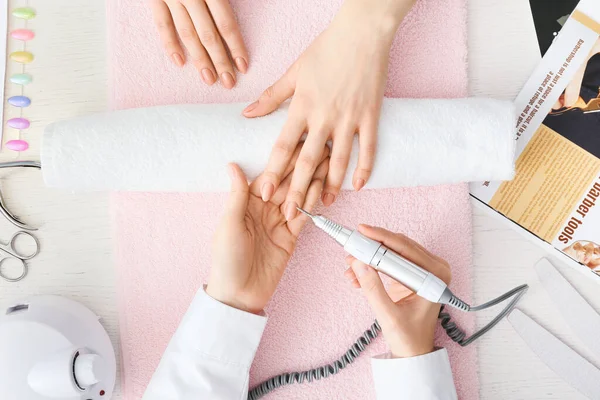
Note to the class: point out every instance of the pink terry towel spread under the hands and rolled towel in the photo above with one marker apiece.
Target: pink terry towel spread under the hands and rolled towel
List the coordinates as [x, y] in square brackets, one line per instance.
[163, 240]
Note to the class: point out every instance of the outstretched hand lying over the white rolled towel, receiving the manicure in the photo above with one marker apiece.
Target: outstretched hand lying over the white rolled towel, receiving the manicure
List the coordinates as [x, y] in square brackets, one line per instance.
[337, 86]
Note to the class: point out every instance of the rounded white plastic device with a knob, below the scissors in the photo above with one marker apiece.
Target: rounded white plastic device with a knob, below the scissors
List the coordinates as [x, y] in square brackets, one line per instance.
[54, 348]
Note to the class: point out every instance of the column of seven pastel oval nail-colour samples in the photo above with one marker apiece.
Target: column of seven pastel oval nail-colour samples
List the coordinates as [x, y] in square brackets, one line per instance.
[22, 57]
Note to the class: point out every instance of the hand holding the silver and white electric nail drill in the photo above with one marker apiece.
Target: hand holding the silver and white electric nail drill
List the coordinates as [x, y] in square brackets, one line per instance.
[408, 321]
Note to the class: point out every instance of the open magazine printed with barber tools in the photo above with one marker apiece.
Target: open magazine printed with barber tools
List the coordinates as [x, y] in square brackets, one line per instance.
[557, 183]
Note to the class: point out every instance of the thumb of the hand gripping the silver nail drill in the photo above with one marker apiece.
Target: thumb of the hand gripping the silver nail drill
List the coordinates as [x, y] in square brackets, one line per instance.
[373, 289]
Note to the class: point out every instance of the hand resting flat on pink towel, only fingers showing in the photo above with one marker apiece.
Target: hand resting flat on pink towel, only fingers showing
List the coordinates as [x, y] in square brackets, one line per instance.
[210, 33]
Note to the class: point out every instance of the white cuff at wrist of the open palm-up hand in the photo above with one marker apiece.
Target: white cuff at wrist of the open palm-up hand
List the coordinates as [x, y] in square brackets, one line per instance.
[221, 332]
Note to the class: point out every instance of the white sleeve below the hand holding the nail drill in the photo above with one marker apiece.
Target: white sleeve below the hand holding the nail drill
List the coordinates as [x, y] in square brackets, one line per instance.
[426, 377]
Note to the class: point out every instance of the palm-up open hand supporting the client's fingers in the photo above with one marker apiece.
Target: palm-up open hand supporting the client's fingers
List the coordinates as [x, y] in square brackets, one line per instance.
[254, 242]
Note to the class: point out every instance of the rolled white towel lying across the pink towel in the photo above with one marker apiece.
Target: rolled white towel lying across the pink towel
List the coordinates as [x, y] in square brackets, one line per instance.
[185, 148]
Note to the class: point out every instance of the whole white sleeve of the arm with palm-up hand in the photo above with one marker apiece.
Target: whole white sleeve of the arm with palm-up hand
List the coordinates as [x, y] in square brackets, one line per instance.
[210, 355]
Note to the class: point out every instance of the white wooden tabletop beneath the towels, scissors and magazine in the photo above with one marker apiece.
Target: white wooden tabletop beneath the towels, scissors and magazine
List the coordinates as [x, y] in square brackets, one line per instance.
[70, 79]
